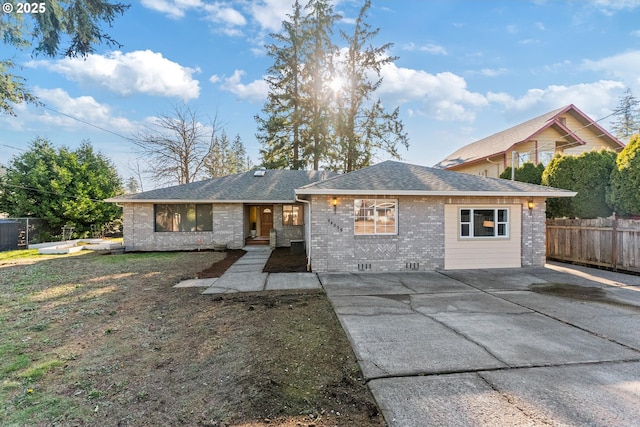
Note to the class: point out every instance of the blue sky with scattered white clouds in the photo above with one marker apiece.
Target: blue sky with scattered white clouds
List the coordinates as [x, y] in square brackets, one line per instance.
[466, 69]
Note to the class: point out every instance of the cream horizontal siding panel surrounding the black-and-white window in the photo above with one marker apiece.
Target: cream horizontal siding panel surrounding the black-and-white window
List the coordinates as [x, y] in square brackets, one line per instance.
[492, 252]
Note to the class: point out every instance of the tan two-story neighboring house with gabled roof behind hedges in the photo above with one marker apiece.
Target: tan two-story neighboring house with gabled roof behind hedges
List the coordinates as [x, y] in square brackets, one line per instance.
[566, 130]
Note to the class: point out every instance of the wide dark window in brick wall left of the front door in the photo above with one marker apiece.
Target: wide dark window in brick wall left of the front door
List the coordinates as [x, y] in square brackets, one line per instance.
[185, 217]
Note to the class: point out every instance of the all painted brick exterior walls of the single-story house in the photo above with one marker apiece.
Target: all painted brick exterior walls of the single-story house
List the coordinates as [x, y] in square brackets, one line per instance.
[419, 244]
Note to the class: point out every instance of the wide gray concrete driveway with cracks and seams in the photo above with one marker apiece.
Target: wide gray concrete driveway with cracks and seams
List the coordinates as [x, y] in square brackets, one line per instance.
[530, 347]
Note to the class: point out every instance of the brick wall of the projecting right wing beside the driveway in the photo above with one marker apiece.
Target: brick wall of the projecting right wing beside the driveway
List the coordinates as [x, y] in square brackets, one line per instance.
[420, 242]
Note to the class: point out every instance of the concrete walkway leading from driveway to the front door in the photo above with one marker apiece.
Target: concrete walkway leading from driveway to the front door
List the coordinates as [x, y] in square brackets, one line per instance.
[246, 275]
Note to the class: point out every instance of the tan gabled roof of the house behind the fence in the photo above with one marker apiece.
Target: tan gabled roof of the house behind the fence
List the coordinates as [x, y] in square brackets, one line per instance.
[501, 142]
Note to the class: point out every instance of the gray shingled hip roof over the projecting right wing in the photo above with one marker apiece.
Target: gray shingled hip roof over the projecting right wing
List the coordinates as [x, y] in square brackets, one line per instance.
[397, 178]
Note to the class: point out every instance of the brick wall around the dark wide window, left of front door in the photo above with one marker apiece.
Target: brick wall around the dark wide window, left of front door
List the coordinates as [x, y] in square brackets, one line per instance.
[139, 234]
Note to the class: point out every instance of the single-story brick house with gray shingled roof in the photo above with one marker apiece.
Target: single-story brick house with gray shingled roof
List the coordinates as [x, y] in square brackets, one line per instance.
[391, 216]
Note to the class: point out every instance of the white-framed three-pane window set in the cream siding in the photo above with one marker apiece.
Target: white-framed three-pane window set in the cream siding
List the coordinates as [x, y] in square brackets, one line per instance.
[484, 223]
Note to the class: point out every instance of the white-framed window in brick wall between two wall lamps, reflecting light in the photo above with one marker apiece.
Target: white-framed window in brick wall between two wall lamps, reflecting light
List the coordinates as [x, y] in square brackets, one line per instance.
[375, 216]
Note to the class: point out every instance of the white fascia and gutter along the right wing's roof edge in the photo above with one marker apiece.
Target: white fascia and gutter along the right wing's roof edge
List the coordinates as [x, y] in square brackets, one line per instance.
[437, 193]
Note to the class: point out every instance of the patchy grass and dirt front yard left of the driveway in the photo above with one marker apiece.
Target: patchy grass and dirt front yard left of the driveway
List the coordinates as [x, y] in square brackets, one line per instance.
[106, 340]
